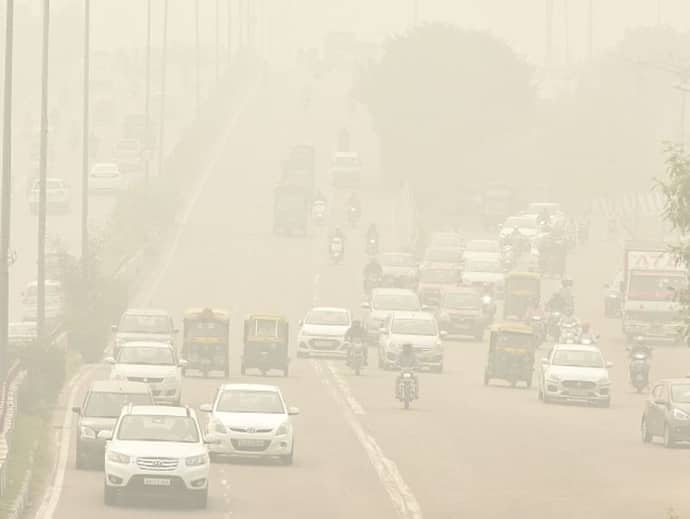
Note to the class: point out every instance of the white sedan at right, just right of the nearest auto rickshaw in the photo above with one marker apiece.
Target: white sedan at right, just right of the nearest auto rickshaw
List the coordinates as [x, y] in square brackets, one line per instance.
[575, 372]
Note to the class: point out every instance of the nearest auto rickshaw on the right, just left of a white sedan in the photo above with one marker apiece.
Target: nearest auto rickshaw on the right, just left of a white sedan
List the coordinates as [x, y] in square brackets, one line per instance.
[511, 353]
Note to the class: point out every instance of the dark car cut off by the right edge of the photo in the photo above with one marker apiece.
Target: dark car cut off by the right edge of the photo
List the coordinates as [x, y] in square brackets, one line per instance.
[667, 412]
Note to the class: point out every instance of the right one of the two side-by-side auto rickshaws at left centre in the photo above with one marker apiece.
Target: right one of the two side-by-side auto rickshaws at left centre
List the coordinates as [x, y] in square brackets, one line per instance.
[265, 343]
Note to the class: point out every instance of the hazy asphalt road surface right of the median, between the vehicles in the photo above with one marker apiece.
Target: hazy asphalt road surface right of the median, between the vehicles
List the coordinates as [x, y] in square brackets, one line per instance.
[463, 450]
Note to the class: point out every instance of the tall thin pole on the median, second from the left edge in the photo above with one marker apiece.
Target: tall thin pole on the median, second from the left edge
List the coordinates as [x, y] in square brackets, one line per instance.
[41, 300]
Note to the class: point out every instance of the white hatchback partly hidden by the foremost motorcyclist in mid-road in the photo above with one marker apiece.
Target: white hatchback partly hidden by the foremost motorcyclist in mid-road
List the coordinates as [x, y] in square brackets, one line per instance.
[416, 328]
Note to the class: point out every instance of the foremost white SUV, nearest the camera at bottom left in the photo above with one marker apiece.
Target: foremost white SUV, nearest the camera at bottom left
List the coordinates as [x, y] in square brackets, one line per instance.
[156, 451]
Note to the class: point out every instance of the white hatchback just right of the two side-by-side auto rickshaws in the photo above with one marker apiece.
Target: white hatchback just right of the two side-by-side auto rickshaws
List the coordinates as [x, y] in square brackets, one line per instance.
[322, 332]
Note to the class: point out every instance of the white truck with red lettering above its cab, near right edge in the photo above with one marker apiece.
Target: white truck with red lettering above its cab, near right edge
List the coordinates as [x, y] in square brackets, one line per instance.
[653, 279]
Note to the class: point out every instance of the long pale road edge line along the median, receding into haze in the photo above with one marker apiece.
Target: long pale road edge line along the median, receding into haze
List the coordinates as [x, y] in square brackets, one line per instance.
[191, 204]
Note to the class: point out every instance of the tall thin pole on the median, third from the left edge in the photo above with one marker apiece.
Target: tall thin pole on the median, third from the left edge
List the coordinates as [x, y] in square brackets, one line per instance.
[85, 142]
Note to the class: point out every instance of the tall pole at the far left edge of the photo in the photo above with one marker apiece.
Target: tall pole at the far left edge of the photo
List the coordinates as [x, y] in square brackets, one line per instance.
[6, 188]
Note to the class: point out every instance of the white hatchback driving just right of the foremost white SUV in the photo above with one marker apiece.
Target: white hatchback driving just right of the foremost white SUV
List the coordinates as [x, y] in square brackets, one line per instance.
[251, 420]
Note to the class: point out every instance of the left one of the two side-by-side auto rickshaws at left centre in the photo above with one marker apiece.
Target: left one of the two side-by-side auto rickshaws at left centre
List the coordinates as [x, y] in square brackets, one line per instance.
[205, 341]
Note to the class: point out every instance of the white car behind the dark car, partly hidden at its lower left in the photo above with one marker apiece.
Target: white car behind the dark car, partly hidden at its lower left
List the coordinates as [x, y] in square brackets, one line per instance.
[153, 363]
